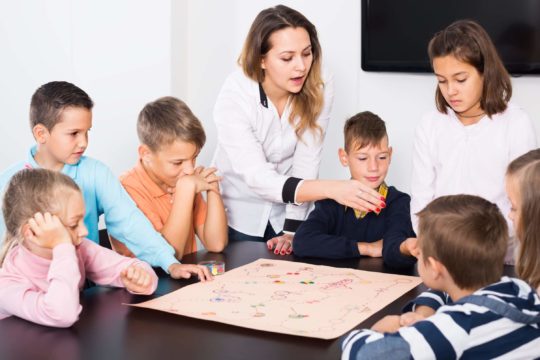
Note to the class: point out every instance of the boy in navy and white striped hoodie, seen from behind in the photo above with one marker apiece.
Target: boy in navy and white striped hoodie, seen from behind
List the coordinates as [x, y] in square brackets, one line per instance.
[461, 248]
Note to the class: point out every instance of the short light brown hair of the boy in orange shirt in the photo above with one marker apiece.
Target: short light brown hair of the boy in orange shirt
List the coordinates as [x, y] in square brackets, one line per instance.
[166, 120]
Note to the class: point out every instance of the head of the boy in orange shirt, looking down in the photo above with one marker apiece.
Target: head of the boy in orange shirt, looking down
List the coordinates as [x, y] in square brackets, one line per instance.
[171, 137]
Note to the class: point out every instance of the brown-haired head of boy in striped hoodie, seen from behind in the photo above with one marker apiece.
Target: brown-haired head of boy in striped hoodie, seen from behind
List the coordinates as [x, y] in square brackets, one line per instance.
[467, 235]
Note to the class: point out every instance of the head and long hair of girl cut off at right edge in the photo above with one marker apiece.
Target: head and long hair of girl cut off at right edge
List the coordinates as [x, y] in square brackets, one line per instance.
[523, 190]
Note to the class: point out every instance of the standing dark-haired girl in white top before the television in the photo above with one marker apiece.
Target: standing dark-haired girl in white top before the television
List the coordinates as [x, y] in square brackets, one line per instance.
[466, 145]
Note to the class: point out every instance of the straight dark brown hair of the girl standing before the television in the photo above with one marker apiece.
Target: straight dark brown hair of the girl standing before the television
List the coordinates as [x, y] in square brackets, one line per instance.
[467, 41]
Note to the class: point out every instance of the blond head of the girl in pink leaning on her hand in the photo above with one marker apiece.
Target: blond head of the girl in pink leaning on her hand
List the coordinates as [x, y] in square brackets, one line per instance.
[32, 191]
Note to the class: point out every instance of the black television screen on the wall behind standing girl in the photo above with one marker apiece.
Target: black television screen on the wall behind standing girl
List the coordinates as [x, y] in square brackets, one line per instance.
[395, 33]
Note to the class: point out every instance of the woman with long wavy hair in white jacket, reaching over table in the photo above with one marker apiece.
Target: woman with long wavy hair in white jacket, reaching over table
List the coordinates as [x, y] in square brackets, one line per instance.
[271, 120]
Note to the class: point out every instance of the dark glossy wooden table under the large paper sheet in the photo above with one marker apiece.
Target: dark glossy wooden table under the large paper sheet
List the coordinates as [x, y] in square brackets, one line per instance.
[109, 330]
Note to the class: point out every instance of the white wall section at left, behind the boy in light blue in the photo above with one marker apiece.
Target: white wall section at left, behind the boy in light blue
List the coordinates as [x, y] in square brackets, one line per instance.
[118, 51]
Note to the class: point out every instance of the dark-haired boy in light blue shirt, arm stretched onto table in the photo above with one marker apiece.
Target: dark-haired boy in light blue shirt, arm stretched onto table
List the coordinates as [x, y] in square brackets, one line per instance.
[60, 118]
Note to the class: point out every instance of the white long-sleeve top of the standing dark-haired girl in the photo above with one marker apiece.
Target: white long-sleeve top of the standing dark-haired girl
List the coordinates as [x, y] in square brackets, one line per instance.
[451, 158]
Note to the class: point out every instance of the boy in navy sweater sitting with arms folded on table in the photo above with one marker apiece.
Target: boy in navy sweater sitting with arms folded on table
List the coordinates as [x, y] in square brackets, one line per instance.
[335, 231]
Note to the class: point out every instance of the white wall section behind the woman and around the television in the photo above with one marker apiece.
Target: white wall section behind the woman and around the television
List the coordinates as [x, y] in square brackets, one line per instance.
[216, 33]
